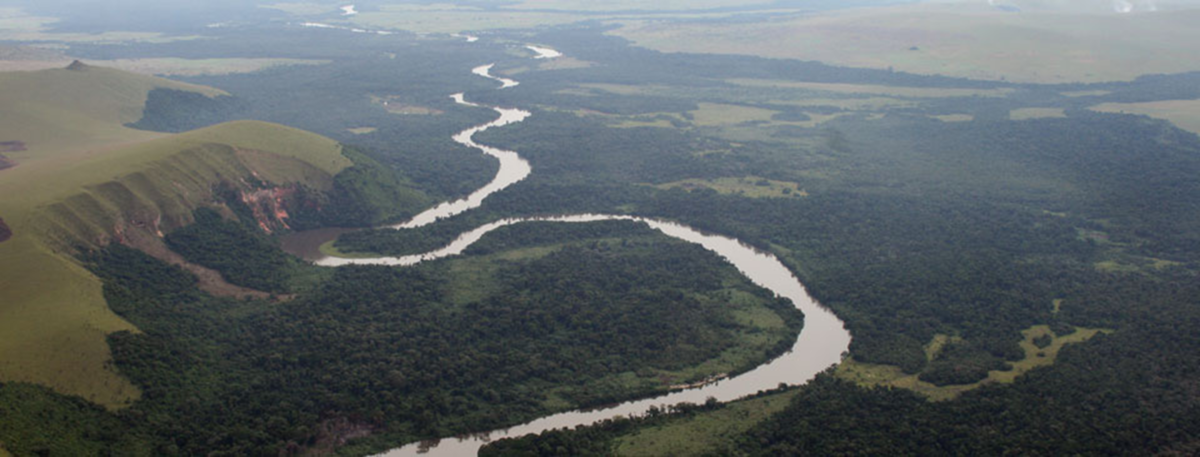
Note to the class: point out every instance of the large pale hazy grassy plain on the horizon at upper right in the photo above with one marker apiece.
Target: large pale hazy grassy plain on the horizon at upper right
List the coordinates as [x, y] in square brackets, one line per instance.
[963, 40]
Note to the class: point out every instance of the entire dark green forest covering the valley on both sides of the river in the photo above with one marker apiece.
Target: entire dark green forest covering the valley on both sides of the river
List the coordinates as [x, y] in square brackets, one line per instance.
[910, 228]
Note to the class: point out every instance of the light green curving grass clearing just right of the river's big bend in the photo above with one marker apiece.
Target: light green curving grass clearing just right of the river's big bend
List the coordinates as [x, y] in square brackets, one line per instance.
[890, 376]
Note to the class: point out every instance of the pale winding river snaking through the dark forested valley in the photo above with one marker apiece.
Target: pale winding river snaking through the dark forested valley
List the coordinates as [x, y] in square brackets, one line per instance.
[820, 345]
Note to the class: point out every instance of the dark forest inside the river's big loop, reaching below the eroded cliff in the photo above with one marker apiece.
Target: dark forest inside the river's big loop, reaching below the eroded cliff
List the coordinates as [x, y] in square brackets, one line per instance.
[392, 352]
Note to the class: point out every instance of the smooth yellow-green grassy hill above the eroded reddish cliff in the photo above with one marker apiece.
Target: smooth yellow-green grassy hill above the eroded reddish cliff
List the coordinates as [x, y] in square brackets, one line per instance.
[86, 179]
